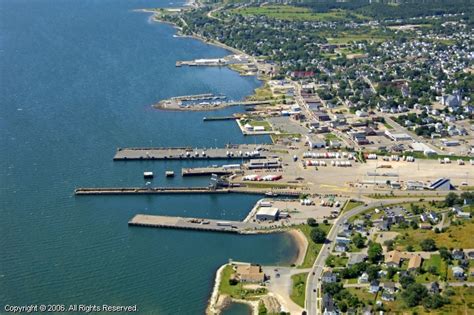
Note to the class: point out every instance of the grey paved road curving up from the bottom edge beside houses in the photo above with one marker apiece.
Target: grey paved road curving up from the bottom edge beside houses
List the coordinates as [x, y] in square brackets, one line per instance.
[313, 297]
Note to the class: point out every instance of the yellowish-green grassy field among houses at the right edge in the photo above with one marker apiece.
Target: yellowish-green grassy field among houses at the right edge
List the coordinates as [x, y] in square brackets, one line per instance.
[456, 236]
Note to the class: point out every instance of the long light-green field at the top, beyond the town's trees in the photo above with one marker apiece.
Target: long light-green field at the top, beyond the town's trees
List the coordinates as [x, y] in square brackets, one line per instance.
[292, 13]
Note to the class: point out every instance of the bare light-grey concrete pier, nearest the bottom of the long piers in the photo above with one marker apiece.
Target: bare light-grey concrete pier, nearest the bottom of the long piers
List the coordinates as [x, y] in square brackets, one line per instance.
[169, 222]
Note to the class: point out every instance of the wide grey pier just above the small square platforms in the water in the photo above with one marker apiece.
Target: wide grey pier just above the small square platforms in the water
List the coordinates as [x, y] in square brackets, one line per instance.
[244, 152]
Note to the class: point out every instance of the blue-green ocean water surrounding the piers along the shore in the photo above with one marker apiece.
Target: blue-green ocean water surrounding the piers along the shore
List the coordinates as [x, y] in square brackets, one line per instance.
[77, 78]
